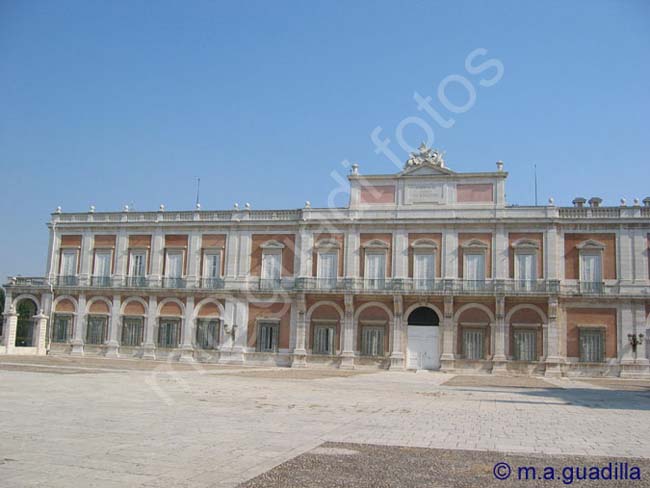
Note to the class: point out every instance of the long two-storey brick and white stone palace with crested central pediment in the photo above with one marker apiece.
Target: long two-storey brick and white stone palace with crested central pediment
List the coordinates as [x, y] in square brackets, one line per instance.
[424, 269]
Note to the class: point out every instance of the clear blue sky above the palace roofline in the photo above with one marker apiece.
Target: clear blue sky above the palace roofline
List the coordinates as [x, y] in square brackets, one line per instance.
[115, 102]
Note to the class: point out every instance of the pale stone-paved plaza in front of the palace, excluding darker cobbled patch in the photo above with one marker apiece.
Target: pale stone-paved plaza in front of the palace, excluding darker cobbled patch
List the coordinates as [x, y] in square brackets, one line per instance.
[107, 423]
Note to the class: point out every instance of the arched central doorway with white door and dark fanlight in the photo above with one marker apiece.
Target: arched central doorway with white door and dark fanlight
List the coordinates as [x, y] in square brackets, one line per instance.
[423, 350]
